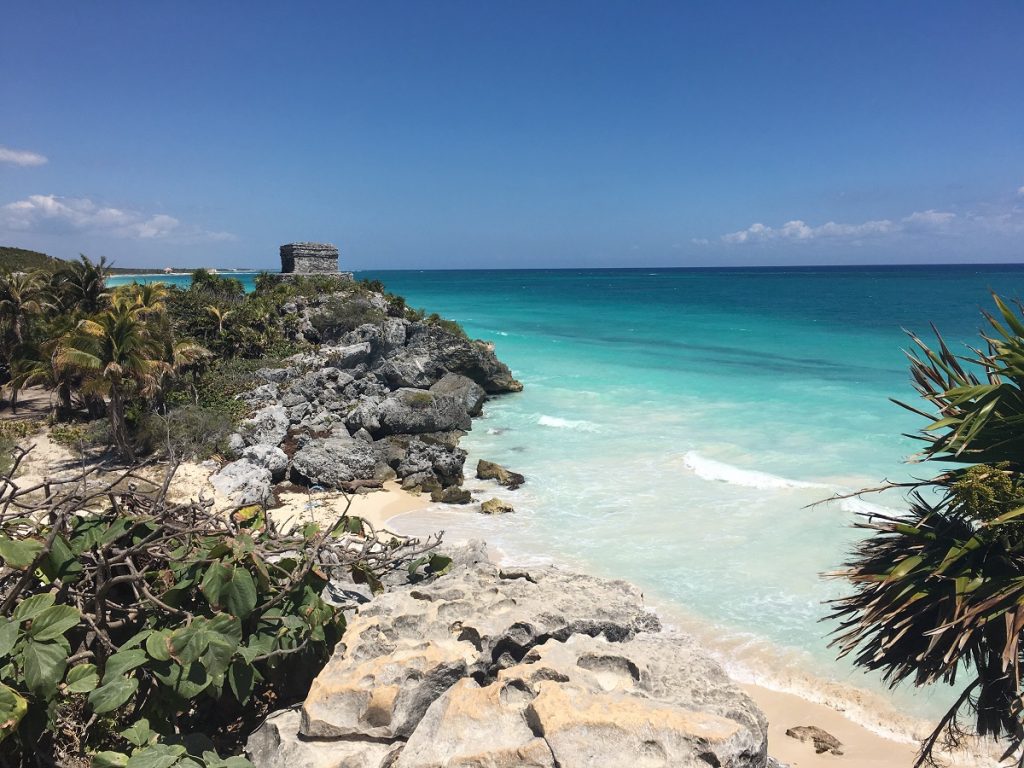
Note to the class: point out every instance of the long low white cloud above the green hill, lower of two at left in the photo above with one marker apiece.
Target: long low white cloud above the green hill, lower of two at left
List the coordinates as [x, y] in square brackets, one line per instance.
[50, 214]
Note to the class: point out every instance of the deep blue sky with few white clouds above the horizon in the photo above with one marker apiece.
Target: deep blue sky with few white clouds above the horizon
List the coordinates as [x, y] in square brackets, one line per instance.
[485, 135]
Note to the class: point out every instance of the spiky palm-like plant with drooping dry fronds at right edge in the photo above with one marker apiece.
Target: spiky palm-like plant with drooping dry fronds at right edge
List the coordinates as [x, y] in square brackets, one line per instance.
[940, 591]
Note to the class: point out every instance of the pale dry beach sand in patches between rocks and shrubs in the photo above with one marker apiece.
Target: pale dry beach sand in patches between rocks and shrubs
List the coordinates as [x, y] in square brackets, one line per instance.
[862, 747]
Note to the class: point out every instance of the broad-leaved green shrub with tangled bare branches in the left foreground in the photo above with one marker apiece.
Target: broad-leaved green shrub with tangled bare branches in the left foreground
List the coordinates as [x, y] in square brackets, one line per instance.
[140, 632]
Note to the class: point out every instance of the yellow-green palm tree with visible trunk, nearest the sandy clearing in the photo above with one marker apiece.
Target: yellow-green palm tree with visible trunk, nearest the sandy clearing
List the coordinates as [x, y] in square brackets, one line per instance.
[119, 358]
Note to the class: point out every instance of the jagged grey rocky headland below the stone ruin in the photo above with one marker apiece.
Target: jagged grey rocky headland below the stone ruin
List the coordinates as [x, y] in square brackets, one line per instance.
[386, 400]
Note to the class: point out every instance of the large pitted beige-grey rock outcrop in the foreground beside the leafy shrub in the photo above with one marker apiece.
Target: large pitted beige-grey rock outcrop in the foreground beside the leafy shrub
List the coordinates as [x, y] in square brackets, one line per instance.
[494, 666]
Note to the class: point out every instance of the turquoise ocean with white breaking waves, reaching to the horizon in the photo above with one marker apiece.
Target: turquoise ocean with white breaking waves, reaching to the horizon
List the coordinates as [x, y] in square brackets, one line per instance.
[676, 426]
